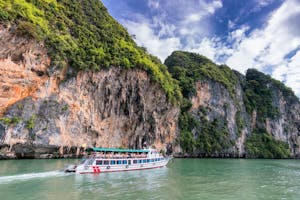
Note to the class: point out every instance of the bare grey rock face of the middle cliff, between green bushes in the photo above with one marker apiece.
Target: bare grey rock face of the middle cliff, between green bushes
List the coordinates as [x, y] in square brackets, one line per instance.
[218, 103]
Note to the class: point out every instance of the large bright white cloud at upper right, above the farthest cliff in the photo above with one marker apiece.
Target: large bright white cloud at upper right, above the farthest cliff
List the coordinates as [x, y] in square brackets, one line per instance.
[269, 46]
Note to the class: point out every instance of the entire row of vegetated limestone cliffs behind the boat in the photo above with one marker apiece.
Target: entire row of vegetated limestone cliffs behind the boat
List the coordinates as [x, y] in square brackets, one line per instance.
[71, 77]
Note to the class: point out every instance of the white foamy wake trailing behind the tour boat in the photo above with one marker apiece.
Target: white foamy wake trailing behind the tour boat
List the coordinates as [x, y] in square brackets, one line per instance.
[24, 177]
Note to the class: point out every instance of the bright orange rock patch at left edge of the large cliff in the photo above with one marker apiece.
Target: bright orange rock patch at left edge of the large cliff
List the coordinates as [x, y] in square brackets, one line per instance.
[23, 65]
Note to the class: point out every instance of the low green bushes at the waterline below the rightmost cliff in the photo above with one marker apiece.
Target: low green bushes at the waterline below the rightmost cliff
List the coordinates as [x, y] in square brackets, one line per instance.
[263, 145]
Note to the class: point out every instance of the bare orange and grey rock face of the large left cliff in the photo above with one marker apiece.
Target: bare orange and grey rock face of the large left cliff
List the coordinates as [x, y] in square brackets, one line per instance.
[44, 117]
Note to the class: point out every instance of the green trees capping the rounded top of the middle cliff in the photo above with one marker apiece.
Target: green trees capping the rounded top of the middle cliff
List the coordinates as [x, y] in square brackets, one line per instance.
[188, 68]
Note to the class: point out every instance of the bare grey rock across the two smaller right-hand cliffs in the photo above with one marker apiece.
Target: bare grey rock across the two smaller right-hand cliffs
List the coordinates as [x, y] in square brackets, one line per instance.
[215, 98]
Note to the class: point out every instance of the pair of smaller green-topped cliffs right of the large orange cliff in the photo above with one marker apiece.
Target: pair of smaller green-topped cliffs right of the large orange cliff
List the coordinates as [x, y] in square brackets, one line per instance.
[231, 115]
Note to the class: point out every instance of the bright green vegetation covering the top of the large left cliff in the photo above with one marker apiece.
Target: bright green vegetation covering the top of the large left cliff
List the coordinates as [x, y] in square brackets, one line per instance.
[81, 34]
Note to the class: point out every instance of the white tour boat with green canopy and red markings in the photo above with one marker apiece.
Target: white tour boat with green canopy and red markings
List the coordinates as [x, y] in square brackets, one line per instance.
[113, 160]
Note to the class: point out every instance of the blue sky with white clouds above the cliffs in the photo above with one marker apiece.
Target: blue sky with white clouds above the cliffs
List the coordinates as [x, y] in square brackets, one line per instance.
[261, 34]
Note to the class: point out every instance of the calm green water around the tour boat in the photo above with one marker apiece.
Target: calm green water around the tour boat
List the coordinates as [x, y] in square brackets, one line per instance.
[182, 179]
